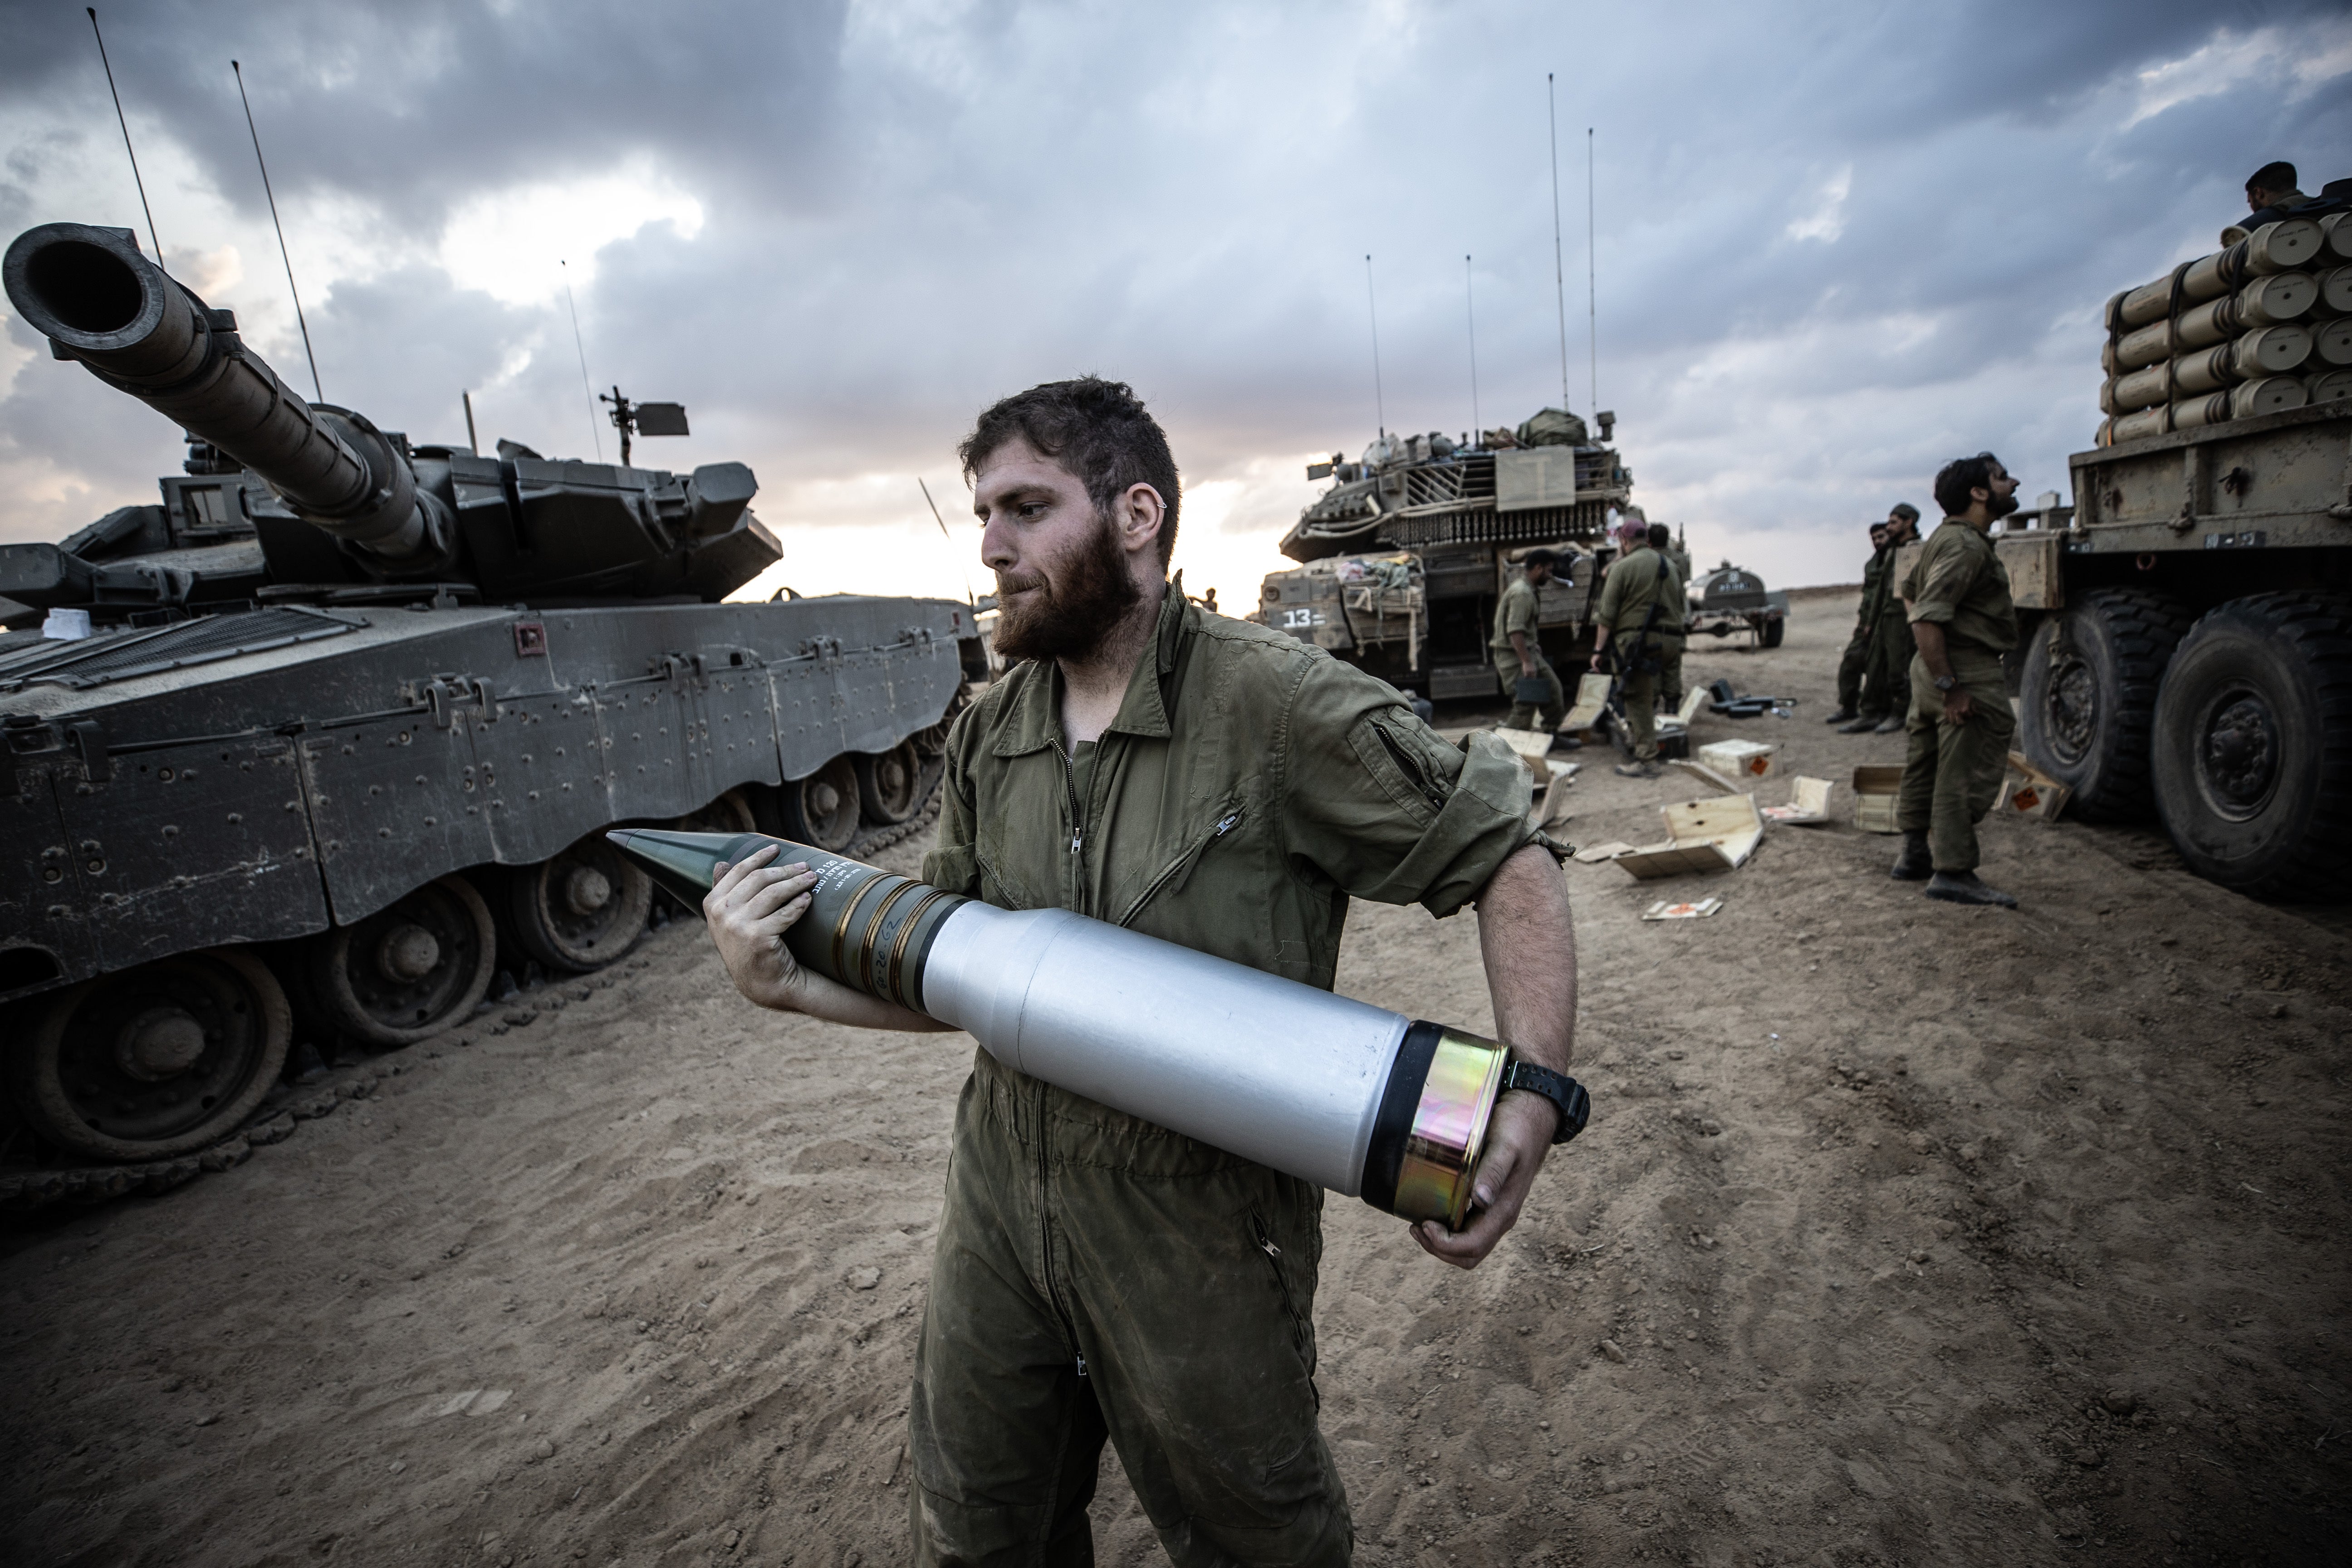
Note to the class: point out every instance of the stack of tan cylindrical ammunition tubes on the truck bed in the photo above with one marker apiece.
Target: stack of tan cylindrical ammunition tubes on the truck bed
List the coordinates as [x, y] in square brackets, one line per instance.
[2252, 330]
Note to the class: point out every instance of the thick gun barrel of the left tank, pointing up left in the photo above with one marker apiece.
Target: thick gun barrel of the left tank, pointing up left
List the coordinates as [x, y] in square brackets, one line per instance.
[138, 330]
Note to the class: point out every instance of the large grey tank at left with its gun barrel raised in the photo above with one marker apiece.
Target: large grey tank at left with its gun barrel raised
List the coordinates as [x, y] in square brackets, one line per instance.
[328, 737]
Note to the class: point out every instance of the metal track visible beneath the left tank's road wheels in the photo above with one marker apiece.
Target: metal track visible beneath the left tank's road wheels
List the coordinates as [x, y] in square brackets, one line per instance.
[39, 1188]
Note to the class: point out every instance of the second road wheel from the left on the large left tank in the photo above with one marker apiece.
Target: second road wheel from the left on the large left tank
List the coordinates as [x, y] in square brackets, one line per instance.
[410, 970]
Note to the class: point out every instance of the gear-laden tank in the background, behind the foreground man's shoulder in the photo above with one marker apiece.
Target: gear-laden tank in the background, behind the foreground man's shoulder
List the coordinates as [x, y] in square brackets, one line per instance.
[1410, 549]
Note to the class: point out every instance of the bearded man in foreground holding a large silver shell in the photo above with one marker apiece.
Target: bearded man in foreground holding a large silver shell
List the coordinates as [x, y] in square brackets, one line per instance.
[1220, 786]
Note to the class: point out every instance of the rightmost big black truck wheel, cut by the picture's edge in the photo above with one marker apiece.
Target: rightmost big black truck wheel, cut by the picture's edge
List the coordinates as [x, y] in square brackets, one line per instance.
[2254, 746]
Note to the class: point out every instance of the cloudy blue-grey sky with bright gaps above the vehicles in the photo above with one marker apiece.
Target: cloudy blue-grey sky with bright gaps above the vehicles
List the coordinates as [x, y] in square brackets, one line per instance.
[1836, 243]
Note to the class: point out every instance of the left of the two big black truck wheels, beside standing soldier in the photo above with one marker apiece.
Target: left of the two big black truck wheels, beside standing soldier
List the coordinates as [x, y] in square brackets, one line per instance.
[2090, 697]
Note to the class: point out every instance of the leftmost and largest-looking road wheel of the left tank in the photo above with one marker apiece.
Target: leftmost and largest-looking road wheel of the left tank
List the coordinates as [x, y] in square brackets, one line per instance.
[154, 1061]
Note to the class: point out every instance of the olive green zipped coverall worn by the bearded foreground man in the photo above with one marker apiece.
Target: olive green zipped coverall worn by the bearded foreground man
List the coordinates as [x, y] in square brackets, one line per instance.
[1100, 1278]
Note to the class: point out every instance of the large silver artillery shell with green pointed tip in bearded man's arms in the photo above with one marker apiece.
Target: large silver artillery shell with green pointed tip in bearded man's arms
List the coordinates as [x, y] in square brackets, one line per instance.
[1321, 1087]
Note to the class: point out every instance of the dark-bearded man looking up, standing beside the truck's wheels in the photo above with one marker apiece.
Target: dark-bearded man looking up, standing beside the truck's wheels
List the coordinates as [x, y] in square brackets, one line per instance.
[1960, 721]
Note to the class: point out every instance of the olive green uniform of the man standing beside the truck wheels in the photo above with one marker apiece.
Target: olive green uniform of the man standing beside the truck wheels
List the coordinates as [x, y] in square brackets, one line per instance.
[1953, 772]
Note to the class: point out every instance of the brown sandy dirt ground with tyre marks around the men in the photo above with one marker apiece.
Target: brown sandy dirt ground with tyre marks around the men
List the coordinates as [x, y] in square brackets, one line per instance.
[1902, 1235]
